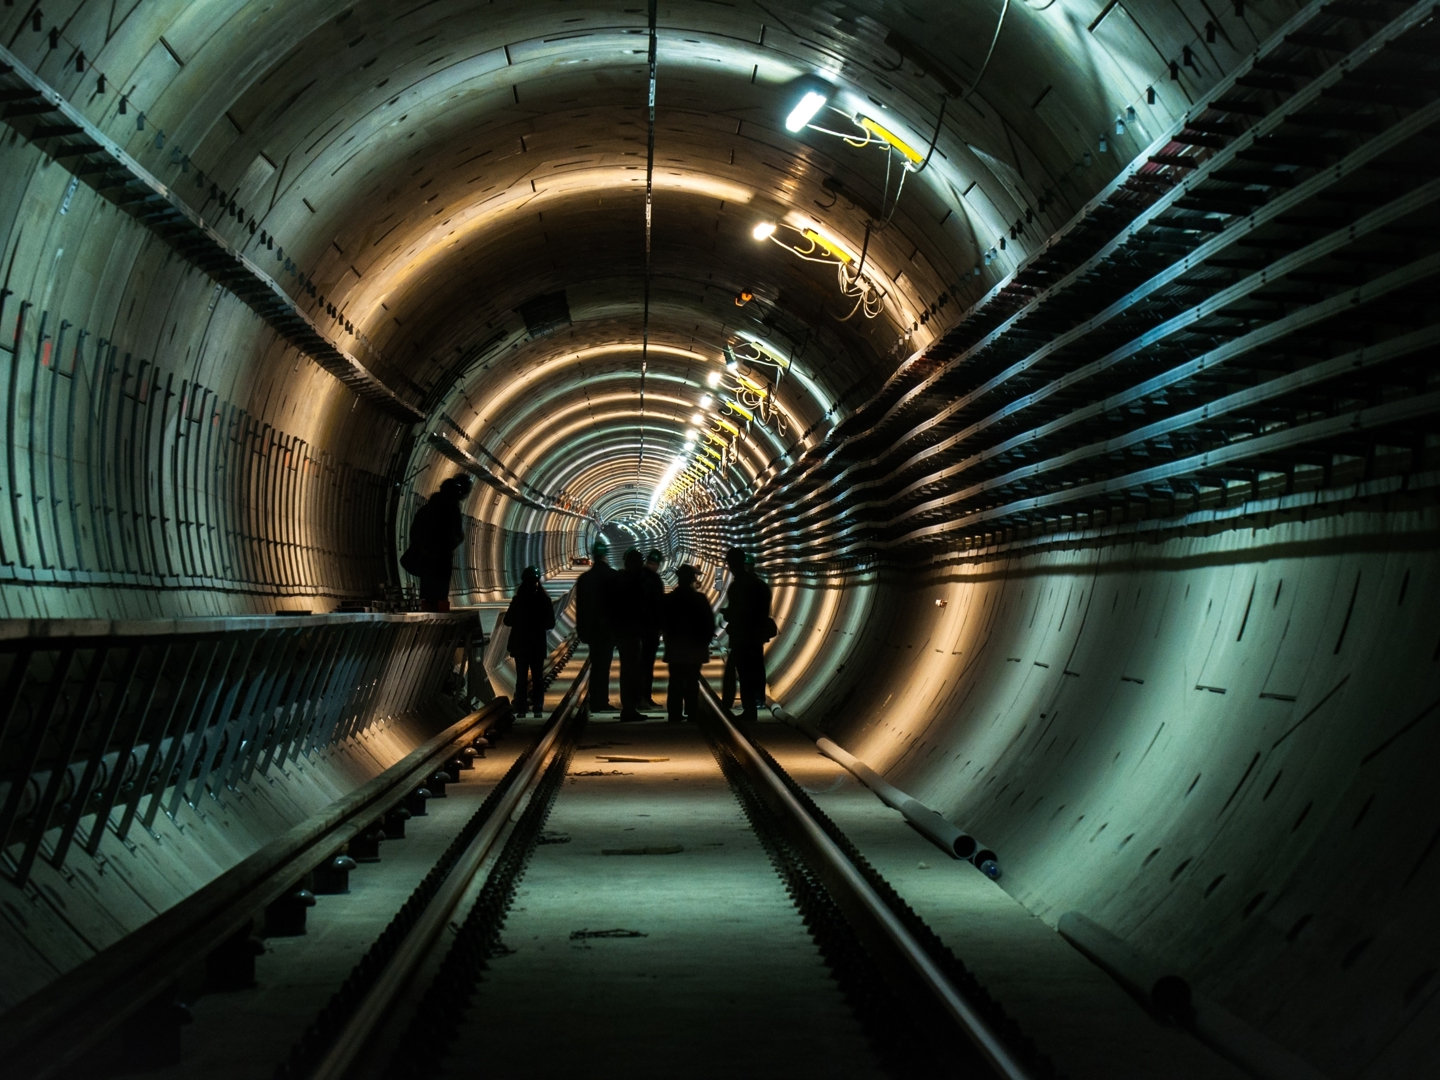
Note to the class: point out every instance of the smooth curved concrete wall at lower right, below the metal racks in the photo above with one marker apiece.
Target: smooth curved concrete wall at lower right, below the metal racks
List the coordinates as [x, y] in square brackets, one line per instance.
[1216, 747]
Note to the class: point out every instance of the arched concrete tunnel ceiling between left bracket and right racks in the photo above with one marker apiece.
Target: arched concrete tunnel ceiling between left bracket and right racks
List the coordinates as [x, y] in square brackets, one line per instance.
[434, 169]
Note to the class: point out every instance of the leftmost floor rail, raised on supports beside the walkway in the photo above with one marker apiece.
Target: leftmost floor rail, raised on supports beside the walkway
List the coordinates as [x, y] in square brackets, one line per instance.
[55, 1027]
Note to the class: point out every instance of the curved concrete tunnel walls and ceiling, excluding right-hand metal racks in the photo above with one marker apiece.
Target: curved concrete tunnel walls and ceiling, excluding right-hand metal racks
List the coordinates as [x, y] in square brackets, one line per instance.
[171, 451]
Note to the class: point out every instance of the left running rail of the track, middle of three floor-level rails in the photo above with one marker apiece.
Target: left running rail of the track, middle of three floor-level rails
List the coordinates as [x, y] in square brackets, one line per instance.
[421, 938]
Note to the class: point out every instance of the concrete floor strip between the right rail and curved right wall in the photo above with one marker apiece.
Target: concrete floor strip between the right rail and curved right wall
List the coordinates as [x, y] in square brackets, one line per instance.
[1074, 1012]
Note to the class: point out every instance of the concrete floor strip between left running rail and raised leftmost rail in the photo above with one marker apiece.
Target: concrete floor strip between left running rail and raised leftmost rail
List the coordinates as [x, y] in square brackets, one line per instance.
[246, 1035]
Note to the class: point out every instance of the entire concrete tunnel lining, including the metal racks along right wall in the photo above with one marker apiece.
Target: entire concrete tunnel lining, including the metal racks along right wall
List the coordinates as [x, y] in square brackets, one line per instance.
[1196, 708]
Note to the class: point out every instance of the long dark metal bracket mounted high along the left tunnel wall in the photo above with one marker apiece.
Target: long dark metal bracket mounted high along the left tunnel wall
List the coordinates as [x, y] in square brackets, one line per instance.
[48, 120]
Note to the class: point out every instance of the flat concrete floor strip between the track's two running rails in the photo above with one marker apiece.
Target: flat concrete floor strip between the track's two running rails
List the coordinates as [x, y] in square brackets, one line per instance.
[690, 961]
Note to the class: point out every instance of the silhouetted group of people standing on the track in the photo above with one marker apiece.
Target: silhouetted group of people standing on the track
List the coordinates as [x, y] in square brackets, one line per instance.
[630, 613]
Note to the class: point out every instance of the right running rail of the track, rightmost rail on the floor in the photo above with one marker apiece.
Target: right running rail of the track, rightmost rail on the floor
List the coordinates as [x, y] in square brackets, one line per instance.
[862, 901]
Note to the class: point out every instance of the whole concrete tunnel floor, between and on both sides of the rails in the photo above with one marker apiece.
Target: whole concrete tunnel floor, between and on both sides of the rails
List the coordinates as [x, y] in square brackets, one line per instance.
[721, 977]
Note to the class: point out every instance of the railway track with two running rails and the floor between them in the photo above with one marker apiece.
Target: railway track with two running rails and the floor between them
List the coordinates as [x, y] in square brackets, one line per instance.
[662, 830]
